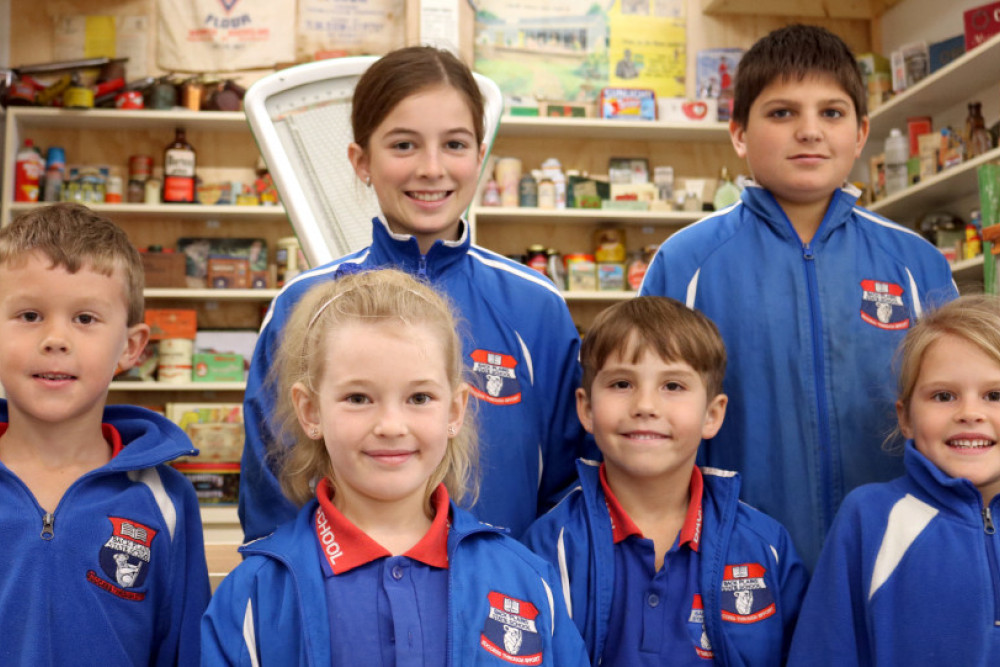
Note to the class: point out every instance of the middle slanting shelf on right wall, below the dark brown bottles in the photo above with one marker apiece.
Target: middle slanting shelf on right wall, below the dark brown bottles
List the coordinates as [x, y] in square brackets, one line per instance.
[938, 190]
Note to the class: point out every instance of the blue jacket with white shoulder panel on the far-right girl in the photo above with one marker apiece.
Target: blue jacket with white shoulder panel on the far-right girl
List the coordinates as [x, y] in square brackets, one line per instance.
[909, 575]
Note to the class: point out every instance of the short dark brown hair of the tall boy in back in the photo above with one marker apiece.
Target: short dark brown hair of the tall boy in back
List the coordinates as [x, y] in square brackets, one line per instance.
[796, 51]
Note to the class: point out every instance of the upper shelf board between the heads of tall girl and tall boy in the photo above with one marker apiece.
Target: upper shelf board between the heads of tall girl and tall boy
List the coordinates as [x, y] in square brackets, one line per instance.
[622, 130]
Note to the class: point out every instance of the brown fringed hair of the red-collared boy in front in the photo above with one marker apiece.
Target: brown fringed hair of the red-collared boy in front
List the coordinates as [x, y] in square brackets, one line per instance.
[663, 325]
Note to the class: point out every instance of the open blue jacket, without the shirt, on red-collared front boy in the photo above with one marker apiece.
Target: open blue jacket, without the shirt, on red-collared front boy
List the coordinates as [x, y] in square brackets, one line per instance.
[576, 537]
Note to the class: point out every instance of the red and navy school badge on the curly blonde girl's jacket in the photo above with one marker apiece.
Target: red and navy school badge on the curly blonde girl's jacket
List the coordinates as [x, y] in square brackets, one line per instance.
[510, 632]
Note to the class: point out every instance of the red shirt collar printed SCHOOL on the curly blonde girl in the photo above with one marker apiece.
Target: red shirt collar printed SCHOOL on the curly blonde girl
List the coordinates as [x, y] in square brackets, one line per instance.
[346, 546]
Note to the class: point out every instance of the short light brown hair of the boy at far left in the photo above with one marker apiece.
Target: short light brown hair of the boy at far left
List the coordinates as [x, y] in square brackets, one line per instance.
[73, 237]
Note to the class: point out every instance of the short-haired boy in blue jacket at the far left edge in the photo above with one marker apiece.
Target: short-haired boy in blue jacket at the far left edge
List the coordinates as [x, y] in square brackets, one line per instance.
[102, 549]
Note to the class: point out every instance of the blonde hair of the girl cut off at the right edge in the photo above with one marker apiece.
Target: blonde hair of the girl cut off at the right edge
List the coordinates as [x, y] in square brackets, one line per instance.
[974, 318]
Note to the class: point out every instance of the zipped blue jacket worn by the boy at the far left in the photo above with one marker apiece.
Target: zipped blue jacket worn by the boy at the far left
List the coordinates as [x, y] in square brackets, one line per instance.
[119, 576]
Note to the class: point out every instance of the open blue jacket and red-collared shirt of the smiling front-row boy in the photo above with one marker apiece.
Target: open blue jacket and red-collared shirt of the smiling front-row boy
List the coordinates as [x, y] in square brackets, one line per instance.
[729, 590]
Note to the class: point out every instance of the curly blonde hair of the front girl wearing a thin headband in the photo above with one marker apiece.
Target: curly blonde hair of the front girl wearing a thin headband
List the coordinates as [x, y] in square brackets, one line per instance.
[372, 297]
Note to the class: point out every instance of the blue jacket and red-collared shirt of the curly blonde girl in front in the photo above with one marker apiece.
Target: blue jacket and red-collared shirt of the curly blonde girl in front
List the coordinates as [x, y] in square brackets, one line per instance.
[319, 592]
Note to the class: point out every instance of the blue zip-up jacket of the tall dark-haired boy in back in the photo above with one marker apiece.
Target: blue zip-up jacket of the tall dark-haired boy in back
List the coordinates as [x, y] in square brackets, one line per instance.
[810, 330]
